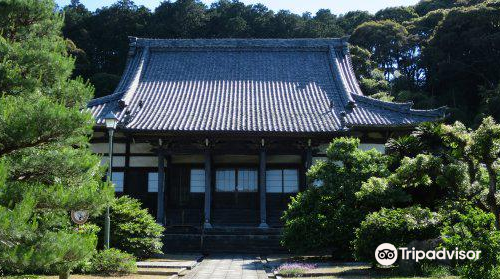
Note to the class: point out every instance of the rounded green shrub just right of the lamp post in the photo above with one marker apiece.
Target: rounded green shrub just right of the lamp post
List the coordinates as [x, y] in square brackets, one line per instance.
[133, 229]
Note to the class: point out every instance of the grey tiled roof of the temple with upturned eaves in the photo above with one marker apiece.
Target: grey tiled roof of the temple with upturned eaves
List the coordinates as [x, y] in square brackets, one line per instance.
[247, 85]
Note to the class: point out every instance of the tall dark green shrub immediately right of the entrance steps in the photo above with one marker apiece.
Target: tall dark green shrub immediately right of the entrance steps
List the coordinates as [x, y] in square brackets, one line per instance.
[323, 219]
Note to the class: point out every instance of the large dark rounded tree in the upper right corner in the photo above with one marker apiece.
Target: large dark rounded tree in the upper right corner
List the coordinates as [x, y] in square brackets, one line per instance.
[457, 70]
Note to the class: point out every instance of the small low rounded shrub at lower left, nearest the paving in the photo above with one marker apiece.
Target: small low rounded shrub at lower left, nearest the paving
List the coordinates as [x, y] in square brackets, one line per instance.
[113, 262]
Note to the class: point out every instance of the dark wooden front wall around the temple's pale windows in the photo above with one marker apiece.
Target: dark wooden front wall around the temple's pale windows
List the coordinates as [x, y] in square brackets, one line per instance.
[186, 208]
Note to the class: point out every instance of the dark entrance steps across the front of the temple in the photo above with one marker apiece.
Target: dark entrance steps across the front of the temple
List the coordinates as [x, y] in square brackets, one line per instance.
[223, 239]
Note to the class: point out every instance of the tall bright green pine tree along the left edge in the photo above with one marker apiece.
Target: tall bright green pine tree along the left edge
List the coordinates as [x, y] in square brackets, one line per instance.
[46, 166]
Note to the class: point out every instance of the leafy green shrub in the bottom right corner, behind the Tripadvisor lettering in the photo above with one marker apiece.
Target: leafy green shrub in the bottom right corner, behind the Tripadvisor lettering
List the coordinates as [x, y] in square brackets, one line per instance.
[475, 230]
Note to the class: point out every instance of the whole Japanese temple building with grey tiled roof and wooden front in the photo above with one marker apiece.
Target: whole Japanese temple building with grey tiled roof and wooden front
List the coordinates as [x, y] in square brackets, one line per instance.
[215, 136]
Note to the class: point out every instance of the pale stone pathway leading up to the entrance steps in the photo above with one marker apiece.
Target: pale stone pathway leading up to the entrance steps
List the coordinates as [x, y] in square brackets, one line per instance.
[228, 267]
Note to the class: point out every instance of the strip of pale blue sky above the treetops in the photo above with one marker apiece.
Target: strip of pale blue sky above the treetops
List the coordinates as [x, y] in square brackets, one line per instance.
[296, 6]
